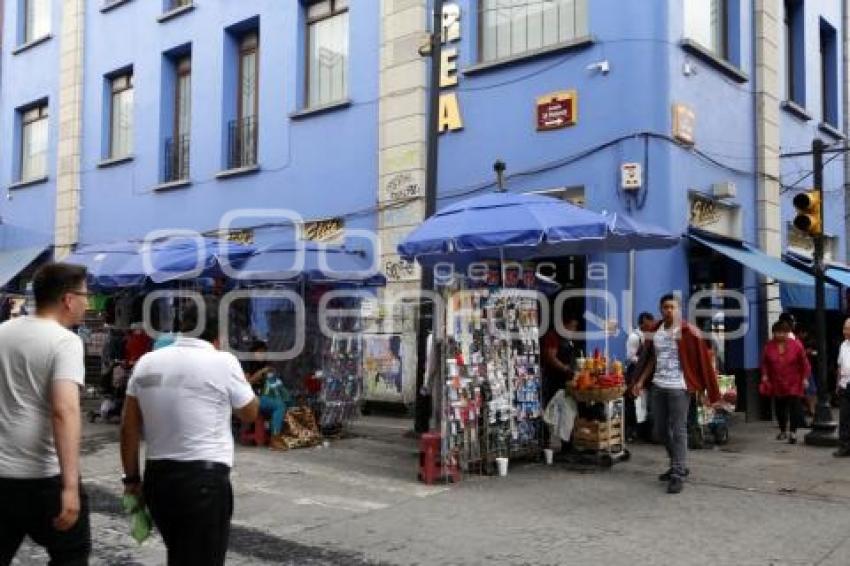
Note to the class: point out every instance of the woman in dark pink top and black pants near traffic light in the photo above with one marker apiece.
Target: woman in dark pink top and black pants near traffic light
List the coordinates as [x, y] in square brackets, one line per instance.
[786, 370]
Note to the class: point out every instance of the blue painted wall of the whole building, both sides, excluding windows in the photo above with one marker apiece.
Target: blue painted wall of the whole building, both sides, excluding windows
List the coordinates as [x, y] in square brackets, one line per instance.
[326, 165]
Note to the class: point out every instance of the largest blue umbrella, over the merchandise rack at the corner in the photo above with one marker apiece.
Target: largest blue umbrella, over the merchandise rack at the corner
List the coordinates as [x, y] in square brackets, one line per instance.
[524, 226]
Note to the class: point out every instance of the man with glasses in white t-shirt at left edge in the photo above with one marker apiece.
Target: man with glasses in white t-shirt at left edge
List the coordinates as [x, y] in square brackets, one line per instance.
[42, 369]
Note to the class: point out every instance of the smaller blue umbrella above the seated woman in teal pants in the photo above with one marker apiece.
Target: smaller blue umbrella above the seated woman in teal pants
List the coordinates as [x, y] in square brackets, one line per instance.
[311, 262]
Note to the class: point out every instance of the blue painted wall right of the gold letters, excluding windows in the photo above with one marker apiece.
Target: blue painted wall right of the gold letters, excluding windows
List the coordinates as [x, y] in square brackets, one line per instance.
[641, 41]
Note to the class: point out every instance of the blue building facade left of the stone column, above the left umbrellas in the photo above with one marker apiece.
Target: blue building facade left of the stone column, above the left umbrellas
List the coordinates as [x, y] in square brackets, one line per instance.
[322, 165]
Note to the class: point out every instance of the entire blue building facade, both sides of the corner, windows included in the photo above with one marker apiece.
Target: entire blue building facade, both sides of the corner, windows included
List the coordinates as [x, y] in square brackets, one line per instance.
[674, 86]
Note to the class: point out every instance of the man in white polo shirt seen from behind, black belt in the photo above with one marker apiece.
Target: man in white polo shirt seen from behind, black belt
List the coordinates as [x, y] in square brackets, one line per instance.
[183, 397]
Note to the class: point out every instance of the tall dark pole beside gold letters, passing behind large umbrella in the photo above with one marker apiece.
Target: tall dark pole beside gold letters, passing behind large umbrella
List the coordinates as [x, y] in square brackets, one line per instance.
[426, 307]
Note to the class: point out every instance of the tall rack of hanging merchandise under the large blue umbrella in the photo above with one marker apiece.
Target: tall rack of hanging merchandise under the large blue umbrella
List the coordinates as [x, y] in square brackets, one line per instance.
[491, 404]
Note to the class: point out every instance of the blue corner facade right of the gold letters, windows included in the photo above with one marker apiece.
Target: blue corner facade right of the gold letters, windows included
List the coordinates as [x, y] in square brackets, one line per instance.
[633, 66]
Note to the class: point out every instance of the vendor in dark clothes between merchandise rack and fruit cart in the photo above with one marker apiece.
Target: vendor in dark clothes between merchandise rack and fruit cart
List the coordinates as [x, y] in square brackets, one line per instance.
[559, 355]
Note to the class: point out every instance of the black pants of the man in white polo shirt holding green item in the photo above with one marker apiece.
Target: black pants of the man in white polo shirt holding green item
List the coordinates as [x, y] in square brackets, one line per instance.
[191, 504]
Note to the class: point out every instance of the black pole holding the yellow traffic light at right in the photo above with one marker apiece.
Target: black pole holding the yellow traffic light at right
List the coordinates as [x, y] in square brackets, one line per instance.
[823, 427]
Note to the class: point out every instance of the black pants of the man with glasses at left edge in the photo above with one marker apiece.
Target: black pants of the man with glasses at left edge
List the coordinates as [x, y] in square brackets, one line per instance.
[27, 508]
